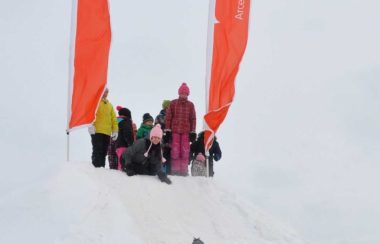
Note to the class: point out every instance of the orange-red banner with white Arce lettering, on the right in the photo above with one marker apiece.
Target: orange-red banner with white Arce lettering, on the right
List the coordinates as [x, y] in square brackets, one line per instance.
[230, 40]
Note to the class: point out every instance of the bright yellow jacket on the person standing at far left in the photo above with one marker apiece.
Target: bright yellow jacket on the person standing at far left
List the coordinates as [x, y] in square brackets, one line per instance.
[105, 121]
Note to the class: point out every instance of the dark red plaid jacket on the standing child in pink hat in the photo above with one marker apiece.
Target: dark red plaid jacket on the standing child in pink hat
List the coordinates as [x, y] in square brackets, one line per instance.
[180, 116]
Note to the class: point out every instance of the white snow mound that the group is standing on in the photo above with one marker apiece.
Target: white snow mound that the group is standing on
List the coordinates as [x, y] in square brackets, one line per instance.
[81, 204]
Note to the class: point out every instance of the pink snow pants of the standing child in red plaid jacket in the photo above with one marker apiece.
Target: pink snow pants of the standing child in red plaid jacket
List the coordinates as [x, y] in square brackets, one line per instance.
[180, 153]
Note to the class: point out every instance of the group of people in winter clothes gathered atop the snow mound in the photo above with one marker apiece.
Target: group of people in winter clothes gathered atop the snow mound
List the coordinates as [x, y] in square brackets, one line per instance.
[161, 146]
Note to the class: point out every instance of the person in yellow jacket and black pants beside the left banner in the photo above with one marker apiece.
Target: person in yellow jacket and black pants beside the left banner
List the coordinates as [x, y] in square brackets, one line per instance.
[102, 130]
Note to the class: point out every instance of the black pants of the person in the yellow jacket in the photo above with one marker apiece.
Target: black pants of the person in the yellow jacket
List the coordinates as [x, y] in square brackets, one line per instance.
[100, 144]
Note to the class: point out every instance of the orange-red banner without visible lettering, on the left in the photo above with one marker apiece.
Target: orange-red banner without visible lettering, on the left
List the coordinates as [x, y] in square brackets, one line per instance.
[92, 44]
